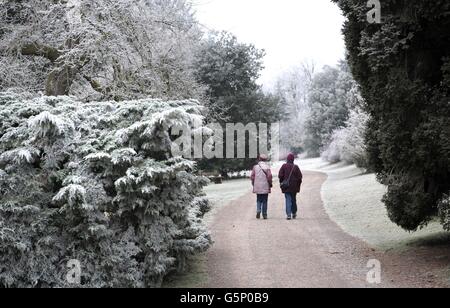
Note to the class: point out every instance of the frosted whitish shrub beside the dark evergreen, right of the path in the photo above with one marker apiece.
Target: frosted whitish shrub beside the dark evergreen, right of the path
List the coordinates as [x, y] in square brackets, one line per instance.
[348, 143]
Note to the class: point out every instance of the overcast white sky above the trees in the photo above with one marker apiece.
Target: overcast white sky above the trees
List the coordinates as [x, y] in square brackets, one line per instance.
[289, 30]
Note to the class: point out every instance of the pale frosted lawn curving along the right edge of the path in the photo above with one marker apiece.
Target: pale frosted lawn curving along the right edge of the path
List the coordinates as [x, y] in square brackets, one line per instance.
[353, 200]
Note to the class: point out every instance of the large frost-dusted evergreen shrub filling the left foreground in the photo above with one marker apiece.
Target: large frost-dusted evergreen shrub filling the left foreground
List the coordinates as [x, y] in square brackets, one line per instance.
[95, 183]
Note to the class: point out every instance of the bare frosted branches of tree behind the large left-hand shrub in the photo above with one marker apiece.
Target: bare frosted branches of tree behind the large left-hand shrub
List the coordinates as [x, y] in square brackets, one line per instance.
[99, 49]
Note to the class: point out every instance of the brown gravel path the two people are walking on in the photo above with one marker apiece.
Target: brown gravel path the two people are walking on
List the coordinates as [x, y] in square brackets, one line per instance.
[309, 252]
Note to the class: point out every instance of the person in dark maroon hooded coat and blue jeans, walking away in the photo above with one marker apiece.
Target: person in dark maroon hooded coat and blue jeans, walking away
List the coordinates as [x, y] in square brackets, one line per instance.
[291, 172]
